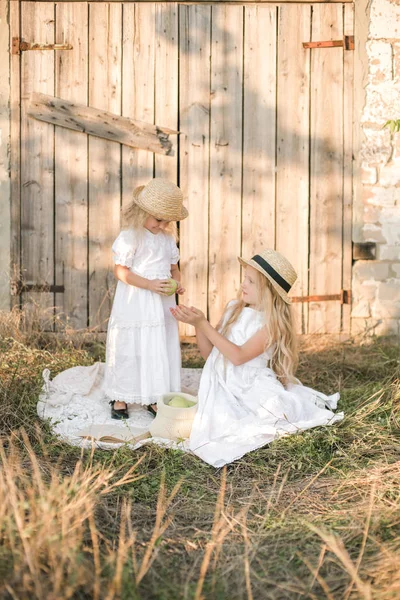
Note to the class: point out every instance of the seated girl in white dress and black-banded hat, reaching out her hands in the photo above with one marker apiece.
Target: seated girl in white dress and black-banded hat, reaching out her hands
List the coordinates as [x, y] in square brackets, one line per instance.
[248, 393]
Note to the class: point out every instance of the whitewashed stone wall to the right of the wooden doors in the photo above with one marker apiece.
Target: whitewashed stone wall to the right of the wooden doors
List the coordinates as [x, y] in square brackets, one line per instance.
[376, 283]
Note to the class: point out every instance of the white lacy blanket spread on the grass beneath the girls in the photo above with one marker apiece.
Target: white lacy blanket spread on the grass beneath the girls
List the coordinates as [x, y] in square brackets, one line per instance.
[75, 403]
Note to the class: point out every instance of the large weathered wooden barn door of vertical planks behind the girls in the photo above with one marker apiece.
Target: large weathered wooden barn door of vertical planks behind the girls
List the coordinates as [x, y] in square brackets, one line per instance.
[263, 157]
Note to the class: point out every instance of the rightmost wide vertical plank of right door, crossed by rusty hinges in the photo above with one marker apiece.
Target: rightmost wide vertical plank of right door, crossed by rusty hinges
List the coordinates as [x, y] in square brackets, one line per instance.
[326, 190]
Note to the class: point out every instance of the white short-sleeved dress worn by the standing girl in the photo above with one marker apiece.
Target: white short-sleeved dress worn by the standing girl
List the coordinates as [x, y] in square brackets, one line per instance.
[143, 358]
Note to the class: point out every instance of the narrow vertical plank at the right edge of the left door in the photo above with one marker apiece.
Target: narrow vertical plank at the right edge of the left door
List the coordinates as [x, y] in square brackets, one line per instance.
[166, 82]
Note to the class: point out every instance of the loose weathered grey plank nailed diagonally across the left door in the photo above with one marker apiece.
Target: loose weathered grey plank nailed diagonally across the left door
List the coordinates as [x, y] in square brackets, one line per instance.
[103, 124]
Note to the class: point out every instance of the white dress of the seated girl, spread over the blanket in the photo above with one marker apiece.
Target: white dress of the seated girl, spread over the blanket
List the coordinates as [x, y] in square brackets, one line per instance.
[244, 407]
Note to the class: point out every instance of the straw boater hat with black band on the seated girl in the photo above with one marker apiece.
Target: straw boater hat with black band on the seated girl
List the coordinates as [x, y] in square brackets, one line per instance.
[276, 268]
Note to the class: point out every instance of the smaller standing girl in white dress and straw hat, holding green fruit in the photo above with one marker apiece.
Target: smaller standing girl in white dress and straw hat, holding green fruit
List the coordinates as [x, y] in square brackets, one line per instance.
[143, 359]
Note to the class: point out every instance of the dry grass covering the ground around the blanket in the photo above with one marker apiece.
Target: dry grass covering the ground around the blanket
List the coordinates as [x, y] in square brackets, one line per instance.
[315, 515]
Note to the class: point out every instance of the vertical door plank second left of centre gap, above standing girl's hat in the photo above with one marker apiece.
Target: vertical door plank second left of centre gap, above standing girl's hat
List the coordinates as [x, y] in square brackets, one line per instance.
[137, 90]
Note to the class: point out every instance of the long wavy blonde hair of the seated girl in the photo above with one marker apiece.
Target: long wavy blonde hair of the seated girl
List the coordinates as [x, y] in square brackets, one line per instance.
[279, 323]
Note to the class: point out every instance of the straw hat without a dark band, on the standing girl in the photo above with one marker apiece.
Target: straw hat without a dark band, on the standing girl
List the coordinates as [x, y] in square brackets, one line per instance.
[162, 199]
